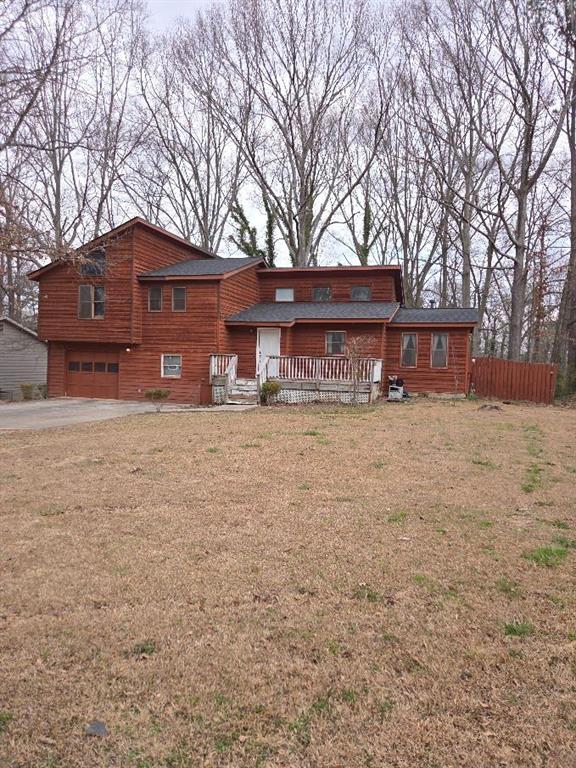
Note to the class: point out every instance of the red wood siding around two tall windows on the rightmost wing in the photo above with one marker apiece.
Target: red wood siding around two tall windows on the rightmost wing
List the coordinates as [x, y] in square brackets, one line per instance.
[452, 379]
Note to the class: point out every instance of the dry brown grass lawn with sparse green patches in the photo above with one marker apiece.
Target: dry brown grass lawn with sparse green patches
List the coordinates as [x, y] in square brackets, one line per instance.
[307, 587]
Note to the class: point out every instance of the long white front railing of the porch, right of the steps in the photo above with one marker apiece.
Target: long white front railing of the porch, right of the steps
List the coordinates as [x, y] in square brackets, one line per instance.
[300, 368]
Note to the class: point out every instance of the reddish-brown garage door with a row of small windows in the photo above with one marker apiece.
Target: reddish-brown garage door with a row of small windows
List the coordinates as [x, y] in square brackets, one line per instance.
[92, 374]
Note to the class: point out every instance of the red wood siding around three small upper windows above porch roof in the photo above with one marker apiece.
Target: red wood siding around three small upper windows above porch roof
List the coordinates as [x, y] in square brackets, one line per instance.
[383, 287]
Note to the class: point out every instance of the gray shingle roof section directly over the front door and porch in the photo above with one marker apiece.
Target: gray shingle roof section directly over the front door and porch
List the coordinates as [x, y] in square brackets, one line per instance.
[287, 312]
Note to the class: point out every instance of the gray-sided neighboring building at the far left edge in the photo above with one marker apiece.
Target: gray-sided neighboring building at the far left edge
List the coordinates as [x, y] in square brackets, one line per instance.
[23, 359]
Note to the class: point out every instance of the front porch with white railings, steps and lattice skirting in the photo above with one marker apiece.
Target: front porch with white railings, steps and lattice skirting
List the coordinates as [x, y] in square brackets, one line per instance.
[302, 379]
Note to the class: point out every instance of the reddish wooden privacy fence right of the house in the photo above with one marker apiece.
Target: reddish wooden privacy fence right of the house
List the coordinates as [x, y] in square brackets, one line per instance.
[508, 380]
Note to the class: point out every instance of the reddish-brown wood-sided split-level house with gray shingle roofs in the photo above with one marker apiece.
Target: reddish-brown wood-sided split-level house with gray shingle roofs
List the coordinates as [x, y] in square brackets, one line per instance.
[140, 307]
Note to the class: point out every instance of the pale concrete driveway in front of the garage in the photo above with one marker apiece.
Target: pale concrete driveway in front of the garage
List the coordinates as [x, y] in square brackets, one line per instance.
[59, 412]
